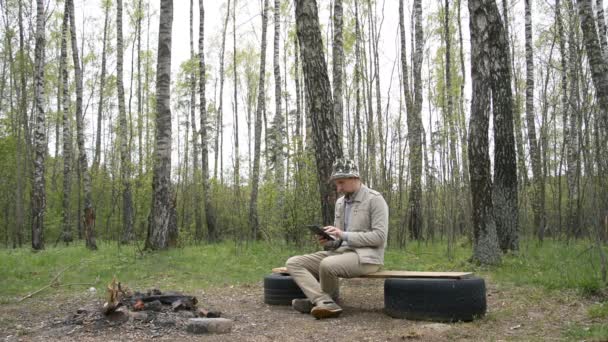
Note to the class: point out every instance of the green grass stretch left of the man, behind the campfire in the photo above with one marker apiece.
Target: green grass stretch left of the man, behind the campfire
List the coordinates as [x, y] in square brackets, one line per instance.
[184, 269]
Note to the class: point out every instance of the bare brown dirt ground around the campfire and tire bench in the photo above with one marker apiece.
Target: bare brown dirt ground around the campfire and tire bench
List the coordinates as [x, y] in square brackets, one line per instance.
[514, 313]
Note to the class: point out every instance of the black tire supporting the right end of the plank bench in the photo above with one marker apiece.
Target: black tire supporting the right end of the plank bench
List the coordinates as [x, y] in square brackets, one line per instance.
[443, 300]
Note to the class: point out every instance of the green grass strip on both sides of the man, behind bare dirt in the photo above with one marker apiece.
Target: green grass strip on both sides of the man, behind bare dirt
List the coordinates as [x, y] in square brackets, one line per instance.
[550, 266]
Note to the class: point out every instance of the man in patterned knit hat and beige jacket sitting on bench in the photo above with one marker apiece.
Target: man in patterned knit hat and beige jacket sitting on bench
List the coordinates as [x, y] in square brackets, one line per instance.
[360, 230]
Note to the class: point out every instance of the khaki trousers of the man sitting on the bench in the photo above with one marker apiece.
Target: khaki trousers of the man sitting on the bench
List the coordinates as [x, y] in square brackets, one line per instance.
[318, 274]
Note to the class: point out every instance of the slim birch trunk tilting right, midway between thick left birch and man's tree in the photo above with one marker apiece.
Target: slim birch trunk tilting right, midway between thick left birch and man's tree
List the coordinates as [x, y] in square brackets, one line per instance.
[255, 177]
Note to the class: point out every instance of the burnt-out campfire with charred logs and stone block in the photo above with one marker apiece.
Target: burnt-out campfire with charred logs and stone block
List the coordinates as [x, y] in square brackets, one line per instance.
[154, 308]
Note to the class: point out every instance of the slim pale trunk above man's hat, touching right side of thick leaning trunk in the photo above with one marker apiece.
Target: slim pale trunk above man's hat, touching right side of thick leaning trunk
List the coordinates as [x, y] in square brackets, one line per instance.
[338, 64]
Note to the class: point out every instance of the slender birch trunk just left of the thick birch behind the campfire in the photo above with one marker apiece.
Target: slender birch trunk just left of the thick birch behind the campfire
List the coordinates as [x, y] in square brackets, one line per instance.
[125, 156]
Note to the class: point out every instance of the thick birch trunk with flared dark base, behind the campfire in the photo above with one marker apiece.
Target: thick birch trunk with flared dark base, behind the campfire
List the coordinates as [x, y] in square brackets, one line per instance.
[162, 225]
